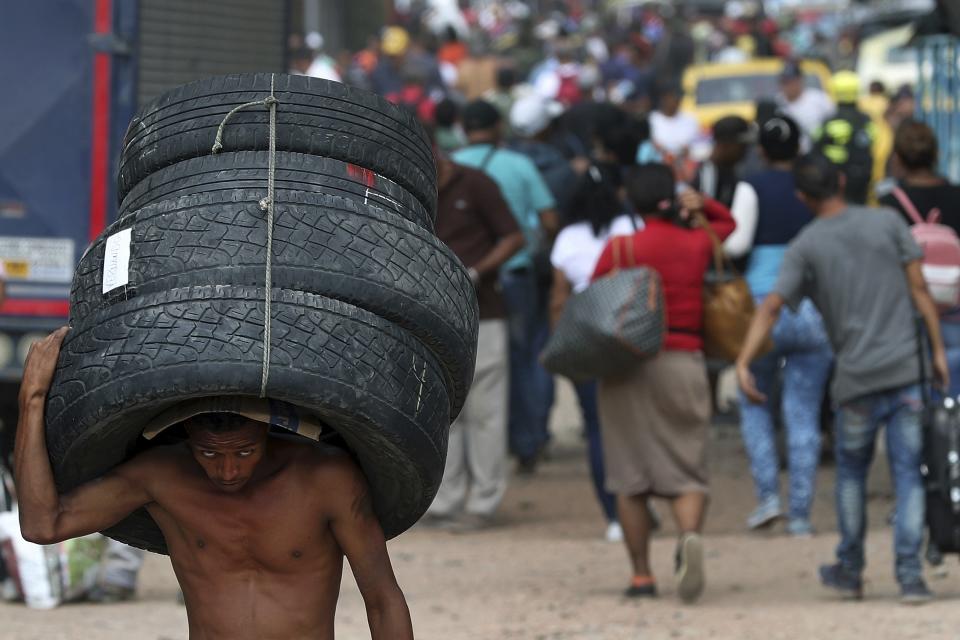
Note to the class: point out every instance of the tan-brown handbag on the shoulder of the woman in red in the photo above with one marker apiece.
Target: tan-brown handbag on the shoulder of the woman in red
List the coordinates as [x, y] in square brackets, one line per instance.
[727, 305]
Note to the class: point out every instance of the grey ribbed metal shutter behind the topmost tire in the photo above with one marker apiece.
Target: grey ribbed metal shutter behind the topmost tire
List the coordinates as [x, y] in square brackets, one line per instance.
[185, 40]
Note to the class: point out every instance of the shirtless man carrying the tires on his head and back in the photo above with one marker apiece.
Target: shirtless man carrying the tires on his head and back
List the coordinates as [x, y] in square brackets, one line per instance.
[256, 527]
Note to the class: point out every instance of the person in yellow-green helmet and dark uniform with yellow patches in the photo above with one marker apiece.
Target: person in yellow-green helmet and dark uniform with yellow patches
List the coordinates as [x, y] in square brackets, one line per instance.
[848, 136]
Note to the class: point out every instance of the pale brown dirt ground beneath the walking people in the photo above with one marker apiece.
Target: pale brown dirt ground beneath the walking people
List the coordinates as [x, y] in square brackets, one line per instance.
[545, 573]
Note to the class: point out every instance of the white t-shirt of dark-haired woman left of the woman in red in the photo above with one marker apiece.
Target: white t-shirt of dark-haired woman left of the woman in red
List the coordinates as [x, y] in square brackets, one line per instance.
[576, 250]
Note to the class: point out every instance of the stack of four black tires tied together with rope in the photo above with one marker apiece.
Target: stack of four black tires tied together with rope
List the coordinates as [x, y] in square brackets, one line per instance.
[373, 319]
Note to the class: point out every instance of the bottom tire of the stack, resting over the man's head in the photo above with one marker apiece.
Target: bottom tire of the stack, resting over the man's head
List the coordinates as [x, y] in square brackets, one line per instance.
[379, 389]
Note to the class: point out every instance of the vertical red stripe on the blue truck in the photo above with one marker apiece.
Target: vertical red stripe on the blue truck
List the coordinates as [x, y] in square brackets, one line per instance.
[100, 147]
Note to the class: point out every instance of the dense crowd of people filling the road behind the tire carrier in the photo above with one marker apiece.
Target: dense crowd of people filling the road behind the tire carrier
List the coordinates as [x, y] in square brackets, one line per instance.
[573, 135]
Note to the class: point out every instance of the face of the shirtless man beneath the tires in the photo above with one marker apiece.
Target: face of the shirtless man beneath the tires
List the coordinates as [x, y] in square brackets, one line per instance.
[229, 457]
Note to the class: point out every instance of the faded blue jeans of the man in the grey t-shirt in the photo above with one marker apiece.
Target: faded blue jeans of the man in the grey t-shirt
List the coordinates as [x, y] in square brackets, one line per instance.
[858, 422]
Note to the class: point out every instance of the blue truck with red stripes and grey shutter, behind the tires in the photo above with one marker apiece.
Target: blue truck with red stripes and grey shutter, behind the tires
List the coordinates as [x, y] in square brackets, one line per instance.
[75, 72]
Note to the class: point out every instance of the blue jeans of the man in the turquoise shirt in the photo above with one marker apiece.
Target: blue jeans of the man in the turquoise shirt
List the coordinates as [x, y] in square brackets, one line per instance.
[531, 387]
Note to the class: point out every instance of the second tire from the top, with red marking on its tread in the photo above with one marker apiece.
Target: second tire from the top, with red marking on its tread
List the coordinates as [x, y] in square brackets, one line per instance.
[294, 172]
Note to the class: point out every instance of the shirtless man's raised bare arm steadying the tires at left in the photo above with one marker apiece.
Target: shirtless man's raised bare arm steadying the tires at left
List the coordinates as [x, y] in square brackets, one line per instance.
[45, 516]
